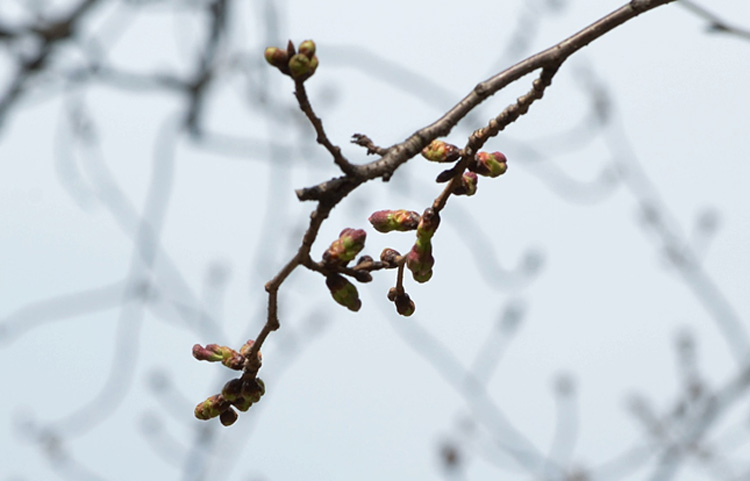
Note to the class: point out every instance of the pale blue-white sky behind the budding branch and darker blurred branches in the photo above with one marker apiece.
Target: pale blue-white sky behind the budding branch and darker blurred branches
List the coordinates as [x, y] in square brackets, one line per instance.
[359, 396]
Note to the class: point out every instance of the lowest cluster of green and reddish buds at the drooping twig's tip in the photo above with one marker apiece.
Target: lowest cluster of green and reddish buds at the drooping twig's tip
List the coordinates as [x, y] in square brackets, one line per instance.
[239, 393]
